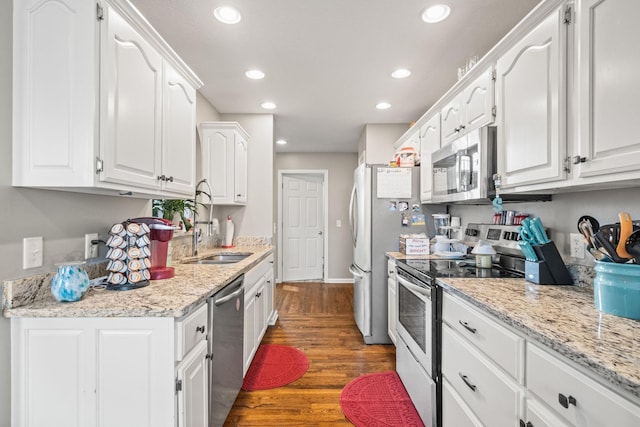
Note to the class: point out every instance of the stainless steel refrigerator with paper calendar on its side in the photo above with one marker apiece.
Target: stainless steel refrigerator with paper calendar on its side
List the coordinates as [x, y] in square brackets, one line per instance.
[385, 203]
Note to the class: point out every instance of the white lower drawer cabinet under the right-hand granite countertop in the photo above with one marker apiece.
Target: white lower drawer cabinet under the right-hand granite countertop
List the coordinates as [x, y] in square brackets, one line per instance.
[480, 389]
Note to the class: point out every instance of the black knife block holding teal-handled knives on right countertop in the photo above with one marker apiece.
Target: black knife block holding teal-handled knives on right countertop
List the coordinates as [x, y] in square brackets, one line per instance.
[549, 269]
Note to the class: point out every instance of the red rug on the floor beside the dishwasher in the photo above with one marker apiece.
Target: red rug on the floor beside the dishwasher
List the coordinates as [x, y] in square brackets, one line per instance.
[274, 366]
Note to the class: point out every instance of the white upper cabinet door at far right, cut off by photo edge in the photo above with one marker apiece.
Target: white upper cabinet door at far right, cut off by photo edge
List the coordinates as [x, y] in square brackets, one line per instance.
[608, 90]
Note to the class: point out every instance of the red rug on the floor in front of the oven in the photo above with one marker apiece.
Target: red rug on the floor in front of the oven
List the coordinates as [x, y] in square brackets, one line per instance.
[376, 400]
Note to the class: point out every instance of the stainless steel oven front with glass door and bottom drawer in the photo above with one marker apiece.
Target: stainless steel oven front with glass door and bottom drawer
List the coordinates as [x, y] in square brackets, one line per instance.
[417, 351]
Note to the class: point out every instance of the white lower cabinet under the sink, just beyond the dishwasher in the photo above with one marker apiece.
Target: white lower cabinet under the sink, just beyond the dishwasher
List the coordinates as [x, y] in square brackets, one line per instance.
[258, 307]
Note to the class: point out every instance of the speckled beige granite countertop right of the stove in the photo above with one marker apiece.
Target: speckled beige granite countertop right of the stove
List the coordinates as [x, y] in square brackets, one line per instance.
[563, 318]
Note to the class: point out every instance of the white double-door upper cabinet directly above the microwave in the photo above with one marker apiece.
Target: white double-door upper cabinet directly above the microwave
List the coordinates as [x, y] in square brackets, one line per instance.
[470, 109]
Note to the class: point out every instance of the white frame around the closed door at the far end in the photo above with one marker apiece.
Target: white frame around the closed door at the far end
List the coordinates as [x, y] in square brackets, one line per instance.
[324, 173]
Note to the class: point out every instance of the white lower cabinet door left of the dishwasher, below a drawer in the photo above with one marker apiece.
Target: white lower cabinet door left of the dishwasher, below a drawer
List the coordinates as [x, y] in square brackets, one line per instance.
[193, 388]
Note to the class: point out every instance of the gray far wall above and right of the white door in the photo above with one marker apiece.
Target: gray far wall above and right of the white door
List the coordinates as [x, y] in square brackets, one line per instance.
[340, 167]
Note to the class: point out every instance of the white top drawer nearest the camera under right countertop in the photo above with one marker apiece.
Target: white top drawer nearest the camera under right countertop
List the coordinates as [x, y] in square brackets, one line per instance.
[575, 396]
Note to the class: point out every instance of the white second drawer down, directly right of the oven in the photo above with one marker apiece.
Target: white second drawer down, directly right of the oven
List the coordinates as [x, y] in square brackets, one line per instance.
[494, 397]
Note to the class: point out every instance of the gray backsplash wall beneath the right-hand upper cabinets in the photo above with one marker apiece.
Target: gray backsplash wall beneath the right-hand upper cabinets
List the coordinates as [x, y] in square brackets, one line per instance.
[562, 213]
